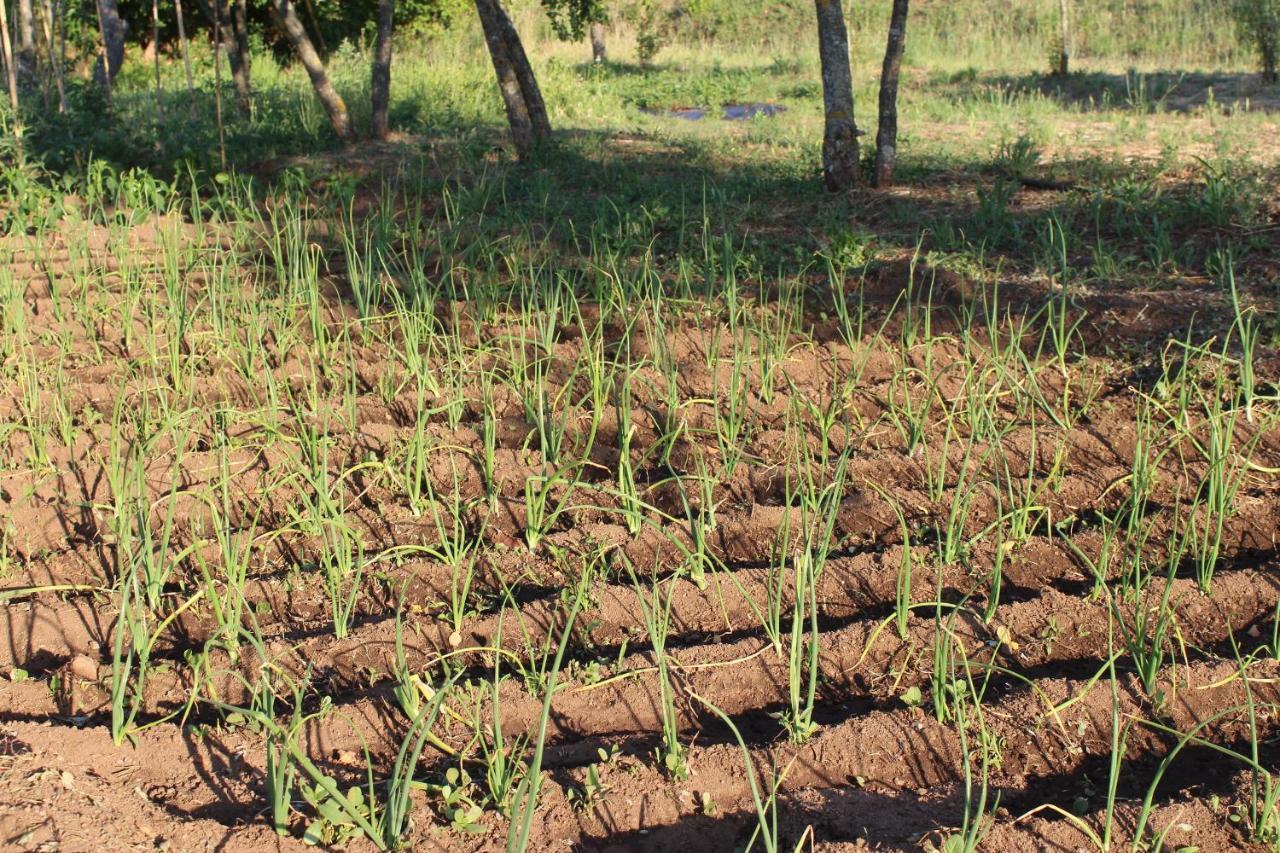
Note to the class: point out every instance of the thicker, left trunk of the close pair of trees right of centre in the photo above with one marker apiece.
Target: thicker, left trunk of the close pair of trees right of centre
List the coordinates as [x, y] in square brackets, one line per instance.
[840, 136]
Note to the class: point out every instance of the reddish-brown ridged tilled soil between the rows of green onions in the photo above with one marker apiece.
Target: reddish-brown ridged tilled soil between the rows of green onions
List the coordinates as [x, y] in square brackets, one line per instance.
[880, 770]
